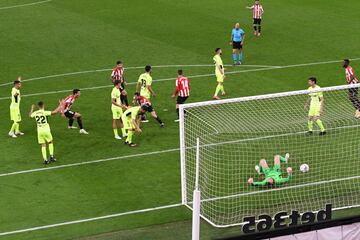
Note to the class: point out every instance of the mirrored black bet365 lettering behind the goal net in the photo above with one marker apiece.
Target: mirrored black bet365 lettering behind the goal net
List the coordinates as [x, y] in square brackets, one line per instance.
[265, 222]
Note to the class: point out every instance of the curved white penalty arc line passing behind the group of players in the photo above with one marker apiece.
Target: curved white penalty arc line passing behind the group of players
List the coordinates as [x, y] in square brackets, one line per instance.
[127, 68]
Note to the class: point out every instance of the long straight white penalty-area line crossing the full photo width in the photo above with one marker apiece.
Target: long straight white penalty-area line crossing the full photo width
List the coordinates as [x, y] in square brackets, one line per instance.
[195, 76]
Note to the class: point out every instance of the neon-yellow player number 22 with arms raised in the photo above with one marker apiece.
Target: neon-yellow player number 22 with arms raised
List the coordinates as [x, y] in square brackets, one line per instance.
[43, 129]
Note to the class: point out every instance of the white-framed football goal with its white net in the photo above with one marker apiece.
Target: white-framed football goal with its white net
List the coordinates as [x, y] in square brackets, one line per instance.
[236, 133]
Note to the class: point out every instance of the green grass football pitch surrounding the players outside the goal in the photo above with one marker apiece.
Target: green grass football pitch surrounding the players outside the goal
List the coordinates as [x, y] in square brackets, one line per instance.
[100, 188]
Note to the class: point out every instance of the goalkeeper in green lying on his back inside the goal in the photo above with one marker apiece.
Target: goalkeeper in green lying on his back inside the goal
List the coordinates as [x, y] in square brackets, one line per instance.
[272, 175]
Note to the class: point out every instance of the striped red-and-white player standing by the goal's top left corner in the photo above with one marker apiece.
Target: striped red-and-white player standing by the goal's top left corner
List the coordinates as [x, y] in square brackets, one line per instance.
[182, 90]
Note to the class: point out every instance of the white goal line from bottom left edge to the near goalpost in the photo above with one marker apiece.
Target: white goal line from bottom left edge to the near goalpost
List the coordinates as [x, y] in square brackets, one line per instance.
[90, 219]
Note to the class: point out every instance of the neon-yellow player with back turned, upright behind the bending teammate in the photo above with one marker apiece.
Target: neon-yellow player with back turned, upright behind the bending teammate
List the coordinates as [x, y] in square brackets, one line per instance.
[144, 87]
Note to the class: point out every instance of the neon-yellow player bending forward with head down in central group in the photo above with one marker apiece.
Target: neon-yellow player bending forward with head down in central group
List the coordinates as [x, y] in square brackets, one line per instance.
[131, 120]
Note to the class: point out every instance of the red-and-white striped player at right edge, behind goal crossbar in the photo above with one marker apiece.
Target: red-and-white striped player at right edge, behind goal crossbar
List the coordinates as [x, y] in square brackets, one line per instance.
[352, 92]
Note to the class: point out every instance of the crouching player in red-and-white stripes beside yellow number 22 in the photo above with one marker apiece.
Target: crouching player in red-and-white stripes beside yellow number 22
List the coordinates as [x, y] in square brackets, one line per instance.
[66, 111]
